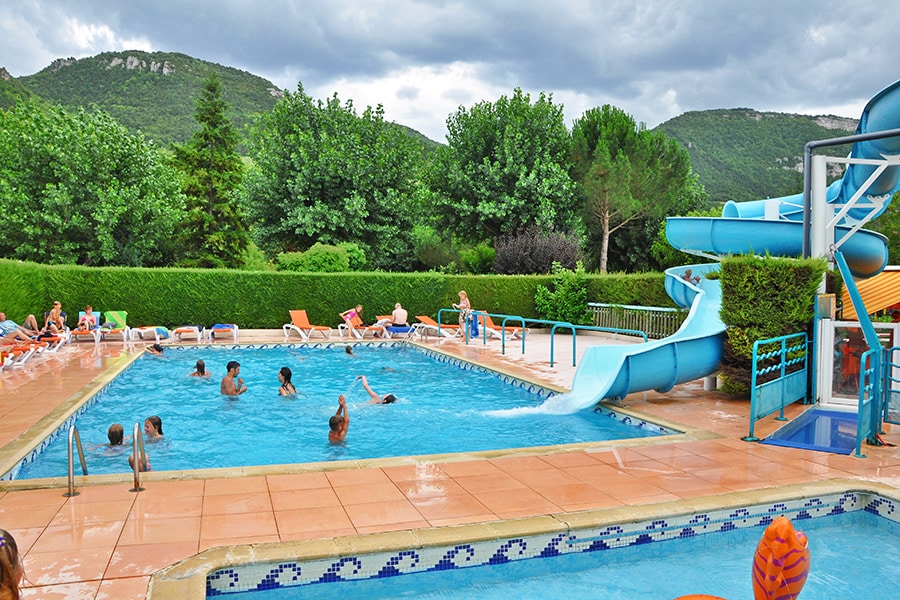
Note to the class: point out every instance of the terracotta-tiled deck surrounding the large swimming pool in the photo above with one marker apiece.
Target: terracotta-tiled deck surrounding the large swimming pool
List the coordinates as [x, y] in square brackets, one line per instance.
[107, 541]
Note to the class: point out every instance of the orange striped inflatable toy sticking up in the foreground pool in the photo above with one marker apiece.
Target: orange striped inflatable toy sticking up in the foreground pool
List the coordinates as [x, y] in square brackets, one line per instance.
[781, 564]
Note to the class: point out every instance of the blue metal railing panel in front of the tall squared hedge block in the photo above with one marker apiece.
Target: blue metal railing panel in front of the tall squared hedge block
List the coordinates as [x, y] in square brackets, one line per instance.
[786, 388]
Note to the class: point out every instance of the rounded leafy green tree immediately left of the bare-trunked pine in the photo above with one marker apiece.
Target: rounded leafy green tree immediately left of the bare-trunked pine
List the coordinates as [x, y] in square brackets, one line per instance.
[504, 168]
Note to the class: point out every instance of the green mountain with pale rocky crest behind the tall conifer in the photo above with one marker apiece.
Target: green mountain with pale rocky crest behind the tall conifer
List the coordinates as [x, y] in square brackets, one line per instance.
[151, 92]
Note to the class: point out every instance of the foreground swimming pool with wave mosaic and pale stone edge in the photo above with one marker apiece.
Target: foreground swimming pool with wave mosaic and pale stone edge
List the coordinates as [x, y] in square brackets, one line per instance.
[853, 540]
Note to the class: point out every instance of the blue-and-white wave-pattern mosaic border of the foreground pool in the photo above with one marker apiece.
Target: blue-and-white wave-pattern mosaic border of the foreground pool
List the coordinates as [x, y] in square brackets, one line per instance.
[260, 577]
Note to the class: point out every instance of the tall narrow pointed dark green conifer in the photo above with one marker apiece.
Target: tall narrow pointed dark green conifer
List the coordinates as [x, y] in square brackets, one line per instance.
[213, 232]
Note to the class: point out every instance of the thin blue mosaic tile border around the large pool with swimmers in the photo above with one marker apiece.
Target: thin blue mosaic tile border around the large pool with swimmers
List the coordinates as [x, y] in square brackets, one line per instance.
[532, 388]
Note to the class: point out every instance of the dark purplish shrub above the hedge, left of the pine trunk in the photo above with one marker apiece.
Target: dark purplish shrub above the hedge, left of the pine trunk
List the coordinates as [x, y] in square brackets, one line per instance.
[533, 251]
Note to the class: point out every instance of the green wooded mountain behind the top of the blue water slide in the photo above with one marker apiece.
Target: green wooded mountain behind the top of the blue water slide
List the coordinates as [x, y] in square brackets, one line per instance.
[742, 154]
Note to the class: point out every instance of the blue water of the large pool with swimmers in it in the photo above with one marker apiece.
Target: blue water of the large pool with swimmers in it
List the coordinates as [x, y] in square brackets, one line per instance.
[441, 408]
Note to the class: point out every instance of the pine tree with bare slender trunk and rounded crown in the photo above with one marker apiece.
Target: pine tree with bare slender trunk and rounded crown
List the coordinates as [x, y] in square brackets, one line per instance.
[625, 173]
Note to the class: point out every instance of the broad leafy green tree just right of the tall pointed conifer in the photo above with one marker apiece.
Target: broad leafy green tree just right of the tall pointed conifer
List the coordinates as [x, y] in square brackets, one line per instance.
[325, 174]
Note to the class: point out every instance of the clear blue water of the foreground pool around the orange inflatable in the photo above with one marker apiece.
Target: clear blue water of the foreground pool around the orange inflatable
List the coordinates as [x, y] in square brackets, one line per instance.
[853, 555]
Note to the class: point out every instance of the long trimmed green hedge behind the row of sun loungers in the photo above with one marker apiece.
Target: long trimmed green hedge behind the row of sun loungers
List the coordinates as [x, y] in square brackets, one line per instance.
[174, 297]
